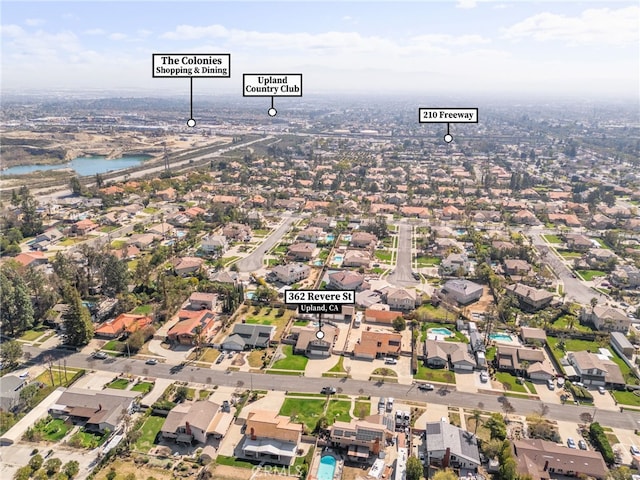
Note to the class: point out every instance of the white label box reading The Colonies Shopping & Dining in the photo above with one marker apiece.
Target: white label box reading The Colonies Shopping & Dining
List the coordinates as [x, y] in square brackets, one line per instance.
[191, 65]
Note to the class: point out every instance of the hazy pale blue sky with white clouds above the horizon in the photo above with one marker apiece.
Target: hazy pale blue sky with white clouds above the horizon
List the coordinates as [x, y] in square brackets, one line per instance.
[456, 47]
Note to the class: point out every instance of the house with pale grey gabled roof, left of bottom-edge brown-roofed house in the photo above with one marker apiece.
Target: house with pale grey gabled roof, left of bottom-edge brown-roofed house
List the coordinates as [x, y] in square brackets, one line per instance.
[448, 446]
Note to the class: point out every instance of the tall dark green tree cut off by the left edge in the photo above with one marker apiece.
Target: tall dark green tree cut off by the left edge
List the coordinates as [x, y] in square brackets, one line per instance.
[16, 311]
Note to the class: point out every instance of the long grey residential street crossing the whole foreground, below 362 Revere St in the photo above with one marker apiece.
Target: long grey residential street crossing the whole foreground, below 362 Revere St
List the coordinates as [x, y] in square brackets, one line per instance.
[442, 396]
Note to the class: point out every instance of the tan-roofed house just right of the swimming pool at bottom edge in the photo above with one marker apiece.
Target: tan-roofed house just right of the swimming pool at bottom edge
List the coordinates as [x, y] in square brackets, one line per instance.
[363, 438]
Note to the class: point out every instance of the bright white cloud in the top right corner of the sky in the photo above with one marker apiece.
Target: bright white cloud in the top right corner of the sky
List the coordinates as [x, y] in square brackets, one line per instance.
[594, 26]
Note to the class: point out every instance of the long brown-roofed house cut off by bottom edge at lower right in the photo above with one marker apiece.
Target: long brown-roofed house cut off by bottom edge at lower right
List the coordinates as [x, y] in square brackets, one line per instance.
[543, 460]
